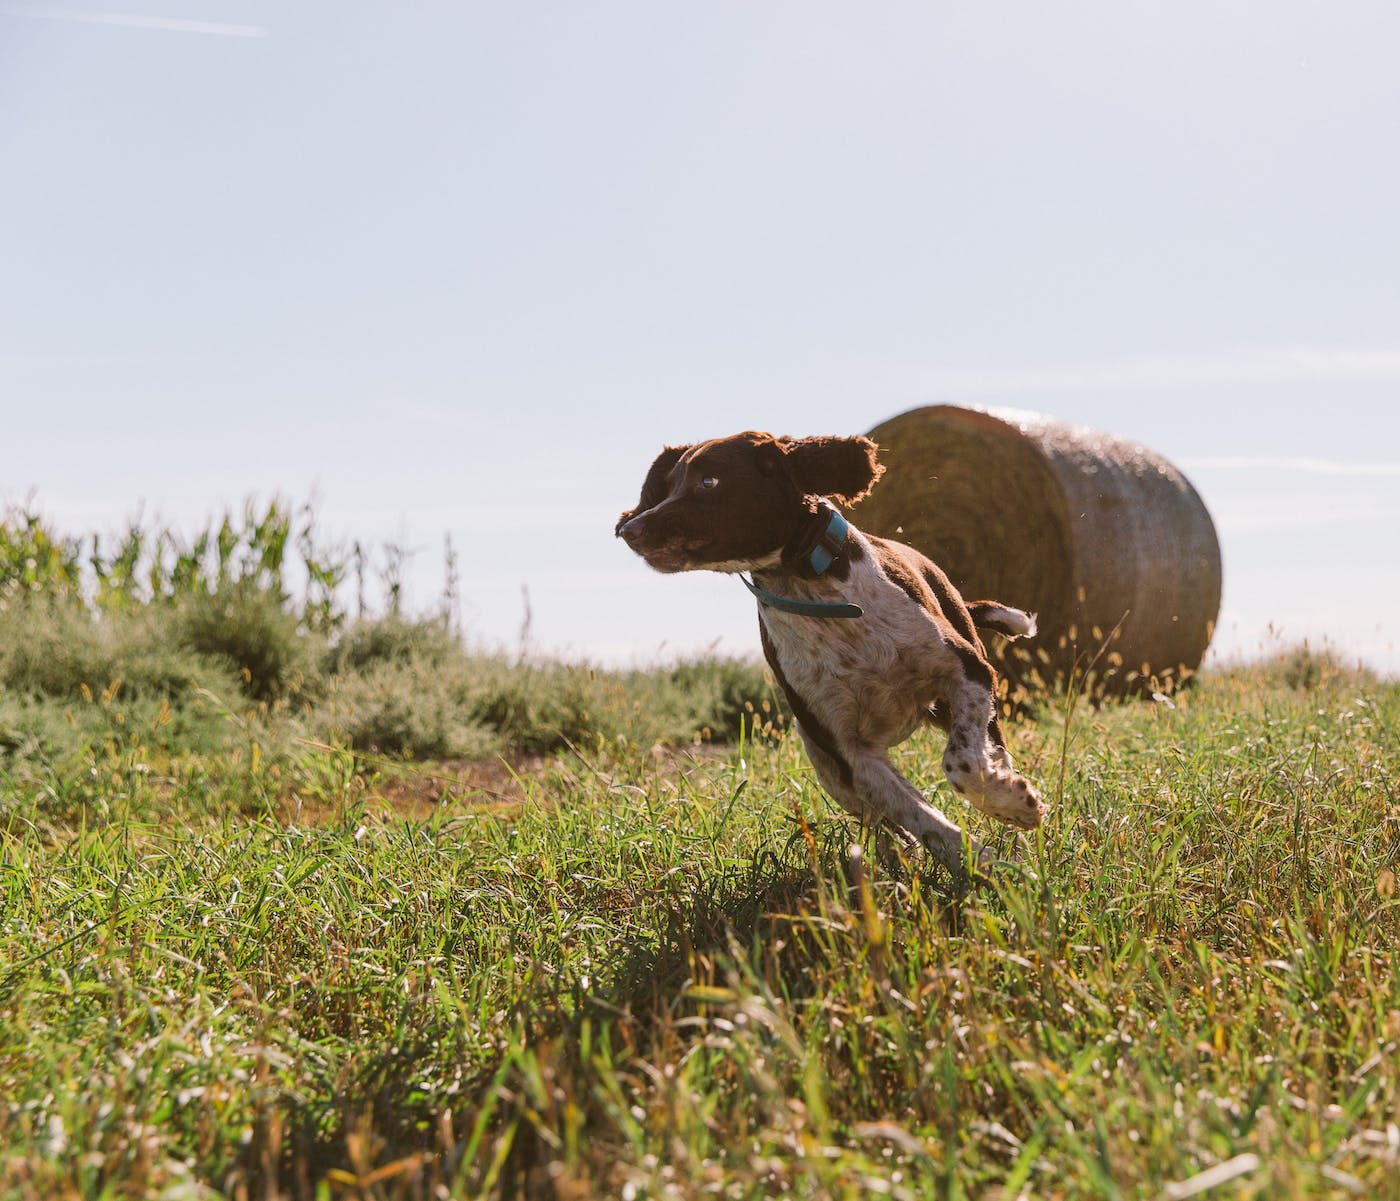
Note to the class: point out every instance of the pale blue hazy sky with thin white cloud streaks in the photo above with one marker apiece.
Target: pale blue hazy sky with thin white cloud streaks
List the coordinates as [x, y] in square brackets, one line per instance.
[465, 268]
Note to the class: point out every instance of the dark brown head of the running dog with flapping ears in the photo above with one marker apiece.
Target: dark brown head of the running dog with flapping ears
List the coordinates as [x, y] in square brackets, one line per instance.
[734, 503]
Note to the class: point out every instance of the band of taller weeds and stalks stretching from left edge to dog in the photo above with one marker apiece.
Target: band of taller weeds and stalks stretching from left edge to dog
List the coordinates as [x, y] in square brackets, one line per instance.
[159, 617]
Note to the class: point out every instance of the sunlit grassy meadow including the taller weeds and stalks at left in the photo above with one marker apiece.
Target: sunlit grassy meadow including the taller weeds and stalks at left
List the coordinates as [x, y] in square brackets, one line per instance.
[306, 901]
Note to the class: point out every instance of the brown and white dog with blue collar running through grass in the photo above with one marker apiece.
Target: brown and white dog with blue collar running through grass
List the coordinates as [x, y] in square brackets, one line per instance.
[866, 636]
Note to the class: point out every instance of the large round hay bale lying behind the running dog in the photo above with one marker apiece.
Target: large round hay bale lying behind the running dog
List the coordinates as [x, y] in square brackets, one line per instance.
[1104, 540]
